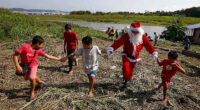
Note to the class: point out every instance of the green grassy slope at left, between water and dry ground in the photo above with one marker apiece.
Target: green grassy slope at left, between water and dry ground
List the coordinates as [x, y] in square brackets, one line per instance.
[15, 26]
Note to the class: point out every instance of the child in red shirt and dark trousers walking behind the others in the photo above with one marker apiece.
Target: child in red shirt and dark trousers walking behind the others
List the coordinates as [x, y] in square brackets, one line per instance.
[70, 39]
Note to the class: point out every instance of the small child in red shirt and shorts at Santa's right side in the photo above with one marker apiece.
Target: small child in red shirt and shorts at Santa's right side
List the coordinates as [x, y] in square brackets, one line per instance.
[170, 67]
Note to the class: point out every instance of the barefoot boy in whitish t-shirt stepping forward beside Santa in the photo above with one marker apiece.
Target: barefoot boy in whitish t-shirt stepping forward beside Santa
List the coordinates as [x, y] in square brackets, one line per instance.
[89, 55]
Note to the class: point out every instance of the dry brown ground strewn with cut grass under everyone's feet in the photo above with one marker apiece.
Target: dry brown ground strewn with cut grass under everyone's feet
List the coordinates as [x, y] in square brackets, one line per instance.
[69, 92]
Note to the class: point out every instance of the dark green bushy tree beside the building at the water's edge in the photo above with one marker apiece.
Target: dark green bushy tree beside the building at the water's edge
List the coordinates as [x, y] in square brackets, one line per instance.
[174, 32]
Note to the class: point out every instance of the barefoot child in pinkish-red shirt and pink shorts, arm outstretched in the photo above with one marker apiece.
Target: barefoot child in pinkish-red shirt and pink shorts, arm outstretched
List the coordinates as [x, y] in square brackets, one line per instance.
[29, 53]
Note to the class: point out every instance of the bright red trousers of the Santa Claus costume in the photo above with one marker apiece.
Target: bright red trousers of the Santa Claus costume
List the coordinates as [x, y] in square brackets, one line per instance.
[128, 68]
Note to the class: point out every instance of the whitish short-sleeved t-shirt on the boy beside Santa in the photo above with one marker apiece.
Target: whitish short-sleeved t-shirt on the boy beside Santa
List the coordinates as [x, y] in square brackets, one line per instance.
[89, 57]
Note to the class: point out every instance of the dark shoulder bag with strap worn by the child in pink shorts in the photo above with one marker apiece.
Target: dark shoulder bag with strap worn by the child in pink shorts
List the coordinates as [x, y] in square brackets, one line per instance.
[25, 67]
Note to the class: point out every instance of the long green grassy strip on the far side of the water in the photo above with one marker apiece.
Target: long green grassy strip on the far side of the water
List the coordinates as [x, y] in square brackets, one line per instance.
[123, 19]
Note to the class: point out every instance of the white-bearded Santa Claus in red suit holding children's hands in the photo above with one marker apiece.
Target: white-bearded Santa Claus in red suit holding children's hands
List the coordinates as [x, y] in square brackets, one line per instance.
[133, 42]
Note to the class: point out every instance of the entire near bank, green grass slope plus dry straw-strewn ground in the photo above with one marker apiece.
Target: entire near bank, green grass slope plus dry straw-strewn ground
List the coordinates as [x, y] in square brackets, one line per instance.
[64, 91]
